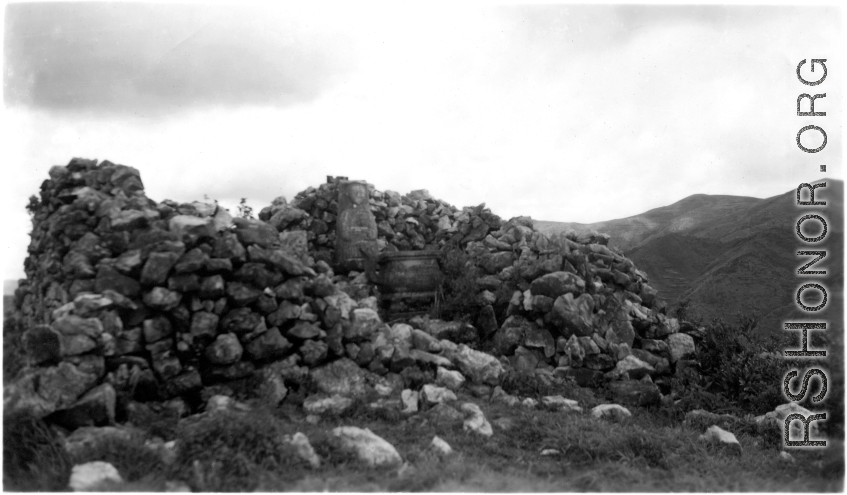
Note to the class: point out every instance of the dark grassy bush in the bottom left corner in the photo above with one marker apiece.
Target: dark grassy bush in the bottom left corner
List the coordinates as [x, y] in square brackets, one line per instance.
[34, 457]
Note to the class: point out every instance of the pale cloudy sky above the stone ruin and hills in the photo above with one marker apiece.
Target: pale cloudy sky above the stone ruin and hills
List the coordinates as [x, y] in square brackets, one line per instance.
[560, 112]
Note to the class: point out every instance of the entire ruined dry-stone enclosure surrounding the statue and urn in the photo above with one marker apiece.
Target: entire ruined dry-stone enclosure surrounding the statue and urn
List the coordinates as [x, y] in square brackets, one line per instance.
[127, 300]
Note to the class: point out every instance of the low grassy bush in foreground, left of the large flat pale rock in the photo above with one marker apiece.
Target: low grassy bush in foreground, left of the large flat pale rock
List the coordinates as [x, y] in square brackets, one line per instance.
[231, 451]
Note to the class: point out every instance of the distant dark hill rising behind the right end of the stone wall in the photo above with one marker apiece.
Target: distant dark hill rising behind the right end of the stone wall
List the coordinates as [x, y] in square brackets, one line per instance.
[730, 254]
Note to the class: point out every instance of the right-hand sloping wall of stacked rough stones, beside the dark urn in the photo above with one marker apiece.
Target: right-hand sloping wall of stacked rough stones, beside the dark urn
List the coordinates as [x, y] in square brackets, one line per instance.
[574, 306]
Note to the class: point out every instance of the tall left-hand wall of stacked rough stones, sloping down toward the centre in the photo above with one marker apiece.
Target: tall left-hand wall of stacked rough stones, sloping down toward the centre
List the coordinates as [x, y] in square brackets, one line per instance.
[130, 298]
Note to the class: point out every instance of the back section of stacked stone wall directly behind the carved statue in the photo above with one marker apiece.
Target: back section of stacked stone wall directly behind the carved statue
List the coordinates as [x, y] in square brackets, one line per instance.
[415, 221]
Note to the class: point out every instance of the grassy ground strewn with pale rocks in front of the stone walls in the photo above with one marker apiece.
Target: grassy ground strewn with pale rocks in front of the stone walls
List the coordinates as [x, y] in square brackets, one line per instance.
[649, 452]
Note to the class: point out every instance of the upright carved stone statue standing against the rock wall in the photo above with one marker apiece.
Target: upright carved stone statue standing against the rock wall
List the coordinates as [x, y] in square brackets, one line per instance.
[355, 228]
